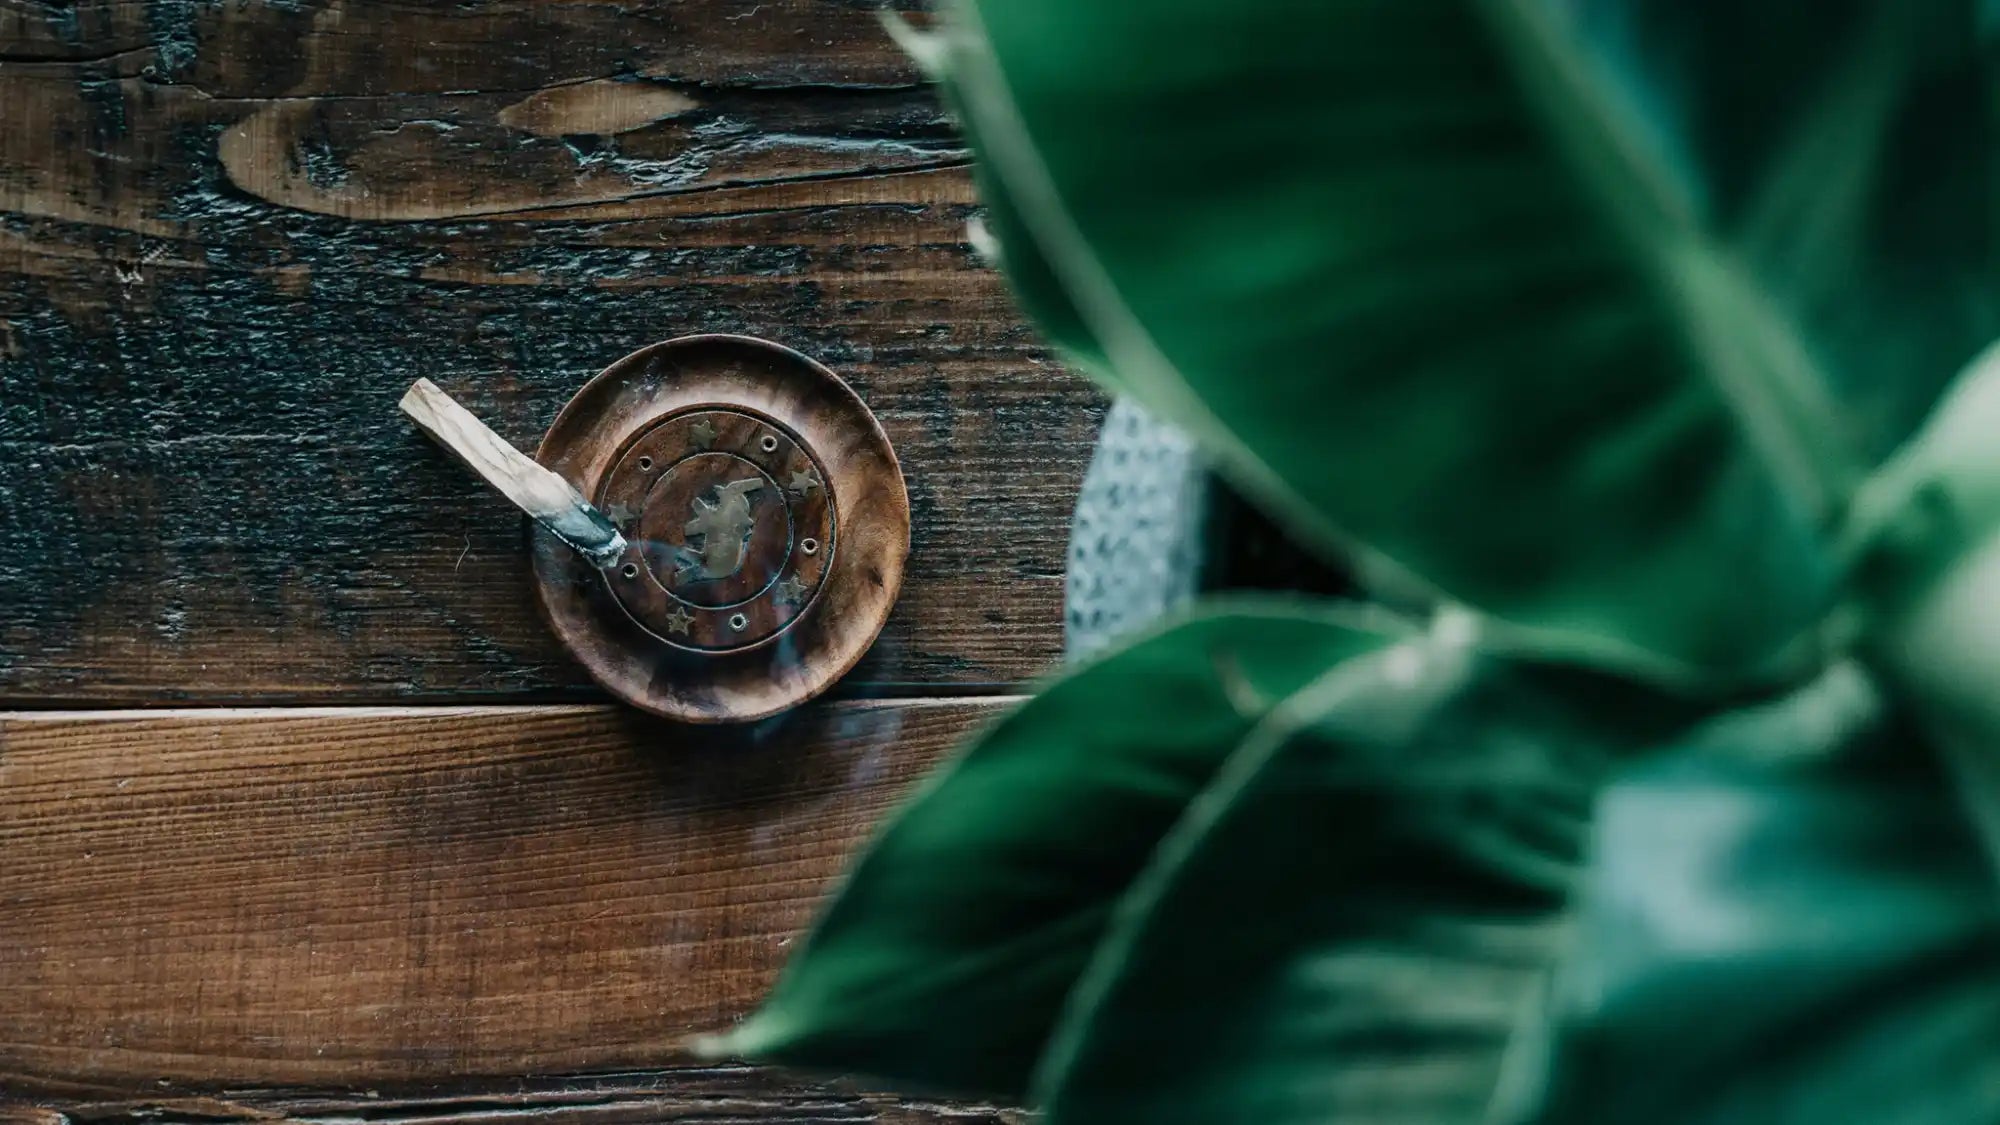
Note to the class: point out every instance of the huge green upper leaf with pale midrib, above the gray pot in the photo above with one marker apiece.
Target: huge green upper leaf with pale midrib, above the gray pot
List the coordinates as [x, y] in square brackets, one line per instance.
[1569, 309]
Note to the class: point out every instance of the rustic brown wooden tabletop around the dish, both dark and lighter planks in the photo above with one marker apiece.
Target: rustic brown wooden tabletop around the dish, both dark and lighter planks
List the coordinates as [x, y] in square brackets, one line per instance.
[303, 814]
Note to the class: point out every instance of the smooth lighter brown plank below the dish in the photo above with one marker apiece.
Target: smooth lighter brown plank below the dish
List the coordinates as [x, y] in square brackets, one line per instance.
[213, 900]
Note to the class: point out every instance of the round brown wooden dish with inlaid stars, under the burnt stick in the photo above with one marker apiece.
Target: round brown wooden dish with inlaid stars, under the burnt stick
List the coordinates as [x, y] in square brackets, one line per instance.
[767, 525]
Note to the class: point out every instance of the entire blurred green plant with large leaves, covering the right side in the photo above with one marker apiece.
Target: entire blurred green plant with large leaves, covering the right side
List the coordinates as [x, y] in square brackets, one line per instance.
[1649, 337]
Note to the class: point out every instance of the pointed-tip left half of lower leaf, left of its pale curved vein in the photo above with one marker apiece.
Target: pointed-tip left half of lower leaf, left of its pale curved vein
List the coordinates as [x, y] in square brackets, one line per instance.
[945, 958]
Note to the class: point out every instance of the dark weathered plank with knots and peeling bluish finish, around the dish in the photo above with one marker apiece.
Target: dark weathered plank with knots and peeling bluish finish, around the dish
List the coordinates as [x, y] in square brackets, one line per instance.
[233, 233]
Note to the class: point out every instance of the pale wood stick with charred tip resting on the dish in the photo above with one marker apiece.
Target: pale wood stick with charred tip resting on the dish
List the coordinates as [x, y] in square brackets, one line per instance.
[553, 501]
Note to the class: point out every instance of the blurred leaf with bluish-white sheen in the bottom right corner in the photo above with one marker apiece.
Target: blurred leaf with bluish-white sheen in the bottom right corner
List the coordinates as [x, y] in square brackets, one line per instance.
[1789, 922]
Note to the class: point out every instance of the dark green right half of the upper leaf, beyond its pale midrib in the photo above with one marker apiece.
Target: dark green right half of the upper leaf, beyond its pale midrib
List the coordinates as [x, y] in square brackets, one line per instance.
[1829, 145]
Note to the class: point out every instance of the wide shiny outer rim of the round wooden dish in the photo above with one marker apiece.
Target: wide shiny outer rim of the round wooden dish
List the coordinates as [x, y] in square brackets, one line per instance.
[863, 576]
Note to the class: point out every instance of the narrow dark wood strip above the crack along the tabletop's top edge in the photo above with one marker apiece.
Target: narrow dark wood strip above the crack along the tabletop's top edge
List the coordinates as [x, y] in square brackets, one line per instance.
[367, 47]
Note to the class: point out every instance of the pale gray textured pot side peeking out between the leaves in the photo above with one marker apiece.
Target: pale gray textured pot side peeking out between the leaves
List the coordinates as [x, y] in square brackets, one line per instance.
[1139, 541]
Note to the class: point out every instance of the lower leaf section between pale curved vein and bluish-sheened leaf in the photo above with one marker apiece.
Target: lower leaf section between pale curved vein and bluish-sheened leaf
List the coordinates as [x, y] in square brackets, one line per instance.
[1357, 914]
